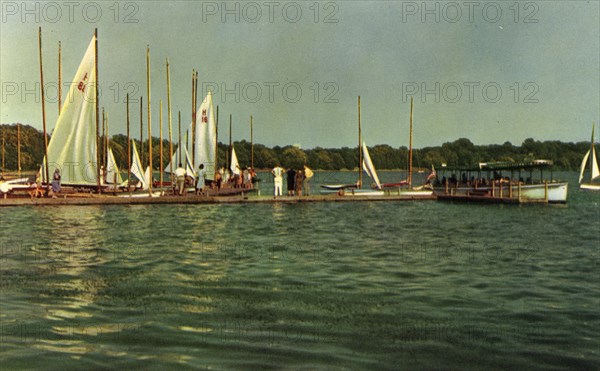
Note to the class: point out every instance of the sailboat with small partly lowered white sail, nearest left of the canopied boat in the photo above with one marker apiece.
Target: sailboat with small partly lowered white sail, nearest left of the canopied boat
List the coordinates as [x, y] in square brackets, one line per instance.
[365, 164]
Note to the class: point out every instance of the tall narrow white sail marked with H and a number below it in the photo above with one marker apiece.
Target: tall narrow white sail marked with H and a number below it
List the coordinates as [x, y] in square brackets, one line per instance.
[206, 137]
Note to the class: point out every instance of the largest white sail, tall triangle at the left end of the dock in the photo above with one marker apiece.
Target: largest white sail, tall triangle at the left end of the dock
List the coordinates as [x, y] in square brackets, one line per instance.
[72, 147]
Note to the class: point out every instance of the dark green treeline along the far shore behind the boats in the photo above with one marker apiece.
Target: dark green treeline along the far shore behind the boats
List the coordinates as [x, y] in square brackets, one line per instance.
[461, 152]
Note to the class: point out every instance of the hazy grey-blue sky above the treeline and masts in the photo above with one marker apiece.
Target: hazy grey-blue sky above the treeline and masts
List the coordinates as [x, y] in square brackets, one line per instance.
[489, 71]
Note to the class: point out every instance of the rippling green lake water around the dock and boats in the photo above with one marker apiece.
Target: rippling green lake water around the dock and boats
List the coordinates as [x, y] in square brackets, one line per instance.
[381, 285]
